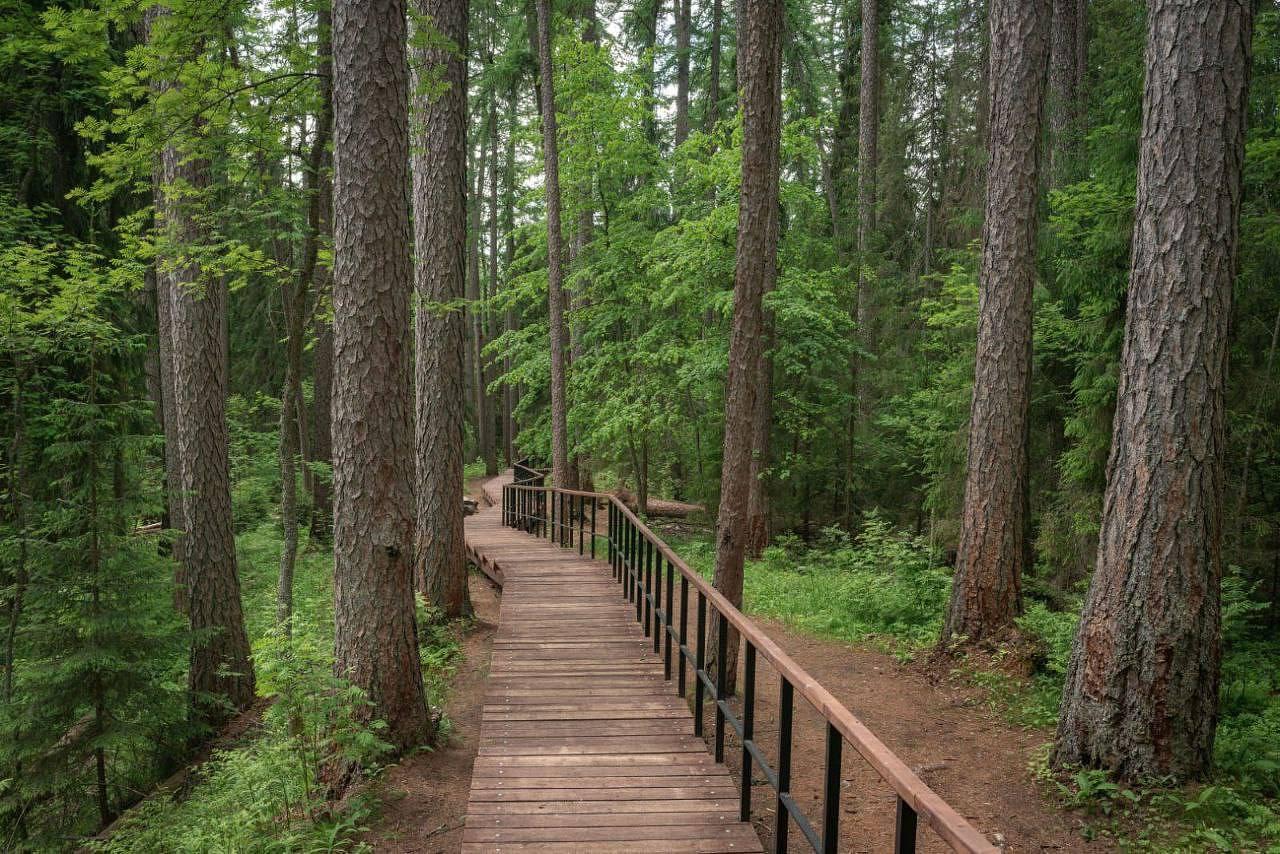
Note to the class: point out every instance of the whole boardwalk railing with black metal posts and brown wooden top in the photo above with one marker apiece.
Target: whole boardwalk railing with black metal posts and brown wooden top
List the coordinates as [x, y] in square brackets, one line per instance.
[637, 556]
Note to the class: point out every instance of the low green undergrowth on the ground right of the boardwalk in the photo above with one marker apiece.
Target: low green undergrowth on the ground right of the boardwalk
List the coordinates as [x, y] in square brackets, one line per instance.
[885, 588]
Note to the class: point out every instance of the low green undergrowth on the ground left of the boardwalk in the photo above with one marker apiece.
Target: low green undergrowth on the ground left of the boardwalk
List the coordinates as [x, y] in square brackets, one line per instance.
[263, 793]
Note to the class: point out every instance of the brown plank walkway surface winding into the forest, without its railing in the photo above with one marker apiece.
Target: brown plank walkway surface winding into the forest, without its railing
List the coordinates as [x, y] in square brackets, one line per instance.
[583, 746]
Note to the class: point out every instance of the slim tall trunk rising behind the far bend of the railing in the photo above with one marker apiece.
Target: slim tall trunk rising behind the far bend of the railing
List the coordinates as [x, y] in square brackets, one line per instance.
[561, 469]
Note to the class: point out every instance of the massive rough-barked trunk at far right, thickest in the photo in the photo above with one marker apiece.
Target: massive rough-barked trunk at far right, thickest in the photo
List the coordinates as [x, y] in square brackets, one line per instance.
[1141, 695]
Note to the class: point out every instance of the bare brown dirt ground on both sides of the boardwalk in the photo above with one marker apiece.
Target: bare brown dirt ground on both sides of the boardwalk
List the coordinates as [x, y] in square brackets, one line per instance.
[940, 727]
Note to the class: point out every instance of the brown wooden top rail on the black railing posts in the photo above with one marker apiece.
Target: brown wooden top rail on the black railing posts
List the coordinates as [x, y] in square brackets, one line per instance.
[945, 821]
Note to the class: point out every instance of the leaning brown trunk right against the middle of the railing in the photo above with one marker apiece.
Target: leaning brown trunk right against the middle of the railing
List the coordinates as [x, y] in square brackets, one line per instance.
[761, 86]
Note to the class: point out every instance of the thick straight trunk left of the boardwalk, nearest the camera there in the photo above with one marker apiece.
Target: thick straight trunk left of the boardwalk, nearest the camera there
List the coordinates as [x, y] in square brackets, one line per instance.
[376, 633]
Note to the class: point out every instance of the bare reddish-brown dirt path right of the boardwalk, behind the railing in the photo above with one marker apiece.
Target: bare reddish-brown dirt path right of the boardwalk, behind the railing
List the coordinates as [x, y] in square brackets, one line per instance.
[970, 756]
